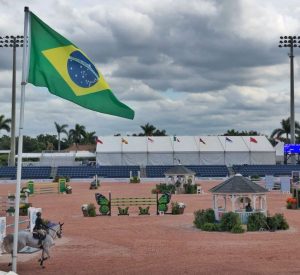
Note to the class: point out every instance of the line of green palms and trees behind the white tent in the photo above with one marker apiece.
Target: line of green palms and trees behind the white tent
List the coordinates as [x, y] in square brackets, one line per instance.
[79, 135]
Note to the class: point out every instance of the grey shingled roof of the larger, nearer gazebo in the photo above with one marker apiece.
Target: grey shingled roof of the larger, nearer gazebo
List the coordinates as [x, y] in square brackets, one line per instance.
[238, 184]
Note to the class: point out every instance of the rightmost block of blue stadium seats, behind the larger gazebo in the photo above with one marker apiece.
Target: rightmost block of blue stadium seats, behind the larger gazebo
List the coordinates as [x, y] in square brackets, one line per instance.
[262, 170]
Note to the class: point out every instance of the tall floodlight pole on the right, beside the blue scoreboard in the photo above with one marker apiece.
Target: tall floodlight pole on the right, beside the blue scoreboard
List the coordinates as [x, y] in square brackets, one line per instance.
[291, 42]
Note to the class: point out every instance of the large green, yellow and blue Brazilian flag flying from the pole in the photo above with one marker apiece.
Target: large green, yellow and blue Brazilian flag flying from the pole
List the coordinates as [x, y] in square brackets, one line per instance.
[67, 72]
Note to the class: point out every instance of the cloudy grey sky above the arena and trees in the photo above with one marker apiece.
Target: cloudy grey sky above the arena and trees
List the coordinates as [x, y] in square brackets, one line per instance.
[189, 67]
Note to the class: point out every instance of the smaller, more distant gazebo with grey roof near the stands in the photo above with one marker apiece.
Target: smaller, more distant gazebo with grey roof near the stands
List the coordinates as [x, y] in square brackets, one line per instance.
[180, 175]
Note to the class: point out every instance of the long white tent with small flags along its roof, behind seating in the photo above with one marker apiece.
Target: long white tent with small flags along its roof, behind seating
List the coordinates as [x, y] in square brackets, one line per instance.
[186, 150]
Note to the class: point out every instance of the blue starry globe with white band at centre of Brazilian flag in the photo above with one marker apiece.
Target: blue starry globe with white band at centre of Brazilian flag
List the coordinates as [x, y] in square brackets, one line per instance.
[81, 70]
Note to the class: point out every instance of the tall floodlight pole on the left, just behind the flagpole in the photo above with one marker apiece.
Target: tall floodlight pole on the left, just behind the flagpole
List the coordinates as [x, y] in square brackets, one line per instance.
[12, 42]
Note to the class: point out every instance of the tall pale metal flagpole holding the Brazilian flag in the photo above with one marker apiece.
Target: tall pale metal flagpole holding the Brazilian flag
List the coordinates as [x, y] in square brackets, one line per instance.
[20, 142]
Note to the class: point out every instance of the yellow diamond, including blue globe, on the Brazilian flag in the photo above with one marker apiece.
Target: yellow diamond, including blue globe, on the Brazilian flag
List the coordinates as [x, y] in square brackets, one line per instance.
[76, 69]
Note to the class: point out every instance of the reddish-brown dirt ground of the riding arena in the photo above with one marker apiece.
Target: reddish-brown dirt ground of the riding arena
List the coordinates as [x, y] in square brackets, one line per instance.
[157, 244]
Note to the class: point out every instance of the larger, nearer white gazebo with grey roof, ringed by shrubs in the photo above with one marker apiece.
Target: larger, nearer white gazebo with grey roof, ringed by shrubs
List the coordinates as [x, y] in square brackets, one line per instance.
[240, 195]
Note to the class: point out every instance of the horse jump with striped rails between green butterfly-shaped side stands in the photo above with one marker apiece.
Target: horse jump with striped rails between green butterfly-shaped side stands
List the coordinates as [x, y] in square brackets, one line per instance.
[142, 203]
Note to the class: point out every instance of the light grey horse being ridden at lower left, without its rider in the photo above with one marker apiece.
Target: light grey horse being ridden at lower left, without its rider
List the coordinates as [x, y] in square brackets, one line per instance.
[25, 238]
